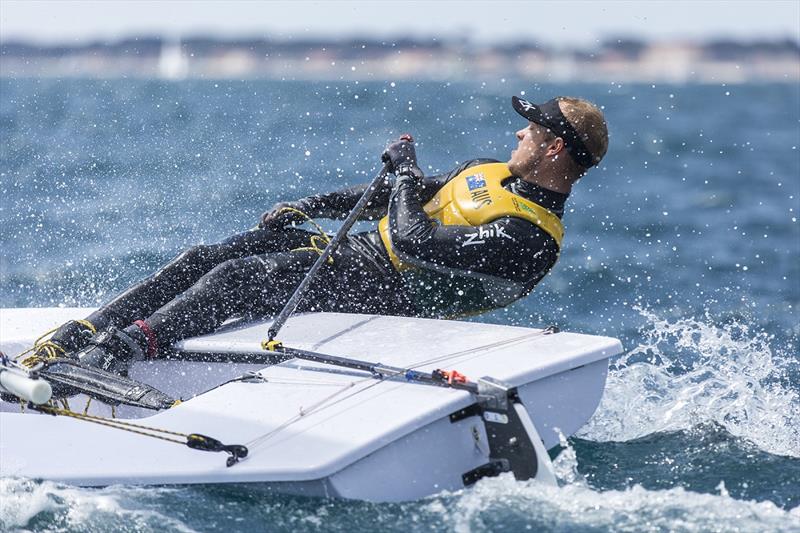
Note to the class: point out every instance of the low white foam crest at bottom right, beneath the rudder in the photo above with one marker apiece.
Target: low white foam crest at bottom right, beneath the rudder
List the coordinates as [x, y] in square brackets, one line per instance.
[493, 502]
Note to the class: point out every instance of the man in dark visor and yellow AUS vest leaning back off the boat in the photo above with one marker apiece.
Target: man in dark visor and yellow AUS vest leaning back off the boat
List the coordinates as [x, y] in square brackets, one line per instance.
[473, 239]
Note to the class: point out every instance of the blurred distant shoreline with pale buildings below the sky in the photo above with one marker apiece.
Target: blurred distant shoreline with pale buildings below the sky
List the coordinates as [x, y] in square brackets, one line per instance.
[615, 60]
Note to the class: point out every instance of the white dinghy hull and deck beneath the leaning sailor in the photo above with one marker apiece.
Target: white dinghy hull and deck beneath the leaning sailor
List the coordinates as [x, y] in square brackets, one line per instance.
[310, 428]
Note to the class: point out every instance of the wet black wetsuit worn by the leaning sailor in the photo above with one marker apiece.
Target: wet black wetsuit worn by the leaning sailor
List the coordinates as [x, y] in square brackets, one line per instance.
[255, 272]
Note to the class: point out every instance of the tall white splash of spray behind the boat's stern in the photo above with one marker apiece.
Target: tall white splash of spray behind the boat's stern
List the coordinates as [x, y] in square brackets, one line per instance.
[688, 372]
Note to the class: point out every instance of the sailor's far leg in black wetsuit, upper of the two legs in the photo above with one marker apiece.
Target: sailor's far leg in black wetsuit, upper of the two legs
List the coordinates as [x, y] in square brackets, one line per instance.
[143, 298]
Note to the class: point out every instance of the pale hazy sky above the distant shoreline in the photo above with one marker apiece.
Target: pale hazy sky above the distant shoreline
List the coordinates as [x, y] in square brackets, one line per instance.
[566, 23]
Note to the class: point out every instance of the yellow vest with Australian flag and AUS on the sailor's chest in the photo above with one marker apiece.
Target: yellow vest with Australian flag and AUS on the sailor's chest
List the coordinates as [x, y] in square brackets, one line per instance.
[476, 196]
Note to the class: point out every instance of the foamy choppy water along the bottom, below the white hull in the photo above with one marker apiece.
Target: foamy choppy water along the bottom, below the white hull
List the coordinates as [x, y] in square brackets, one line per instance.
[491, 505]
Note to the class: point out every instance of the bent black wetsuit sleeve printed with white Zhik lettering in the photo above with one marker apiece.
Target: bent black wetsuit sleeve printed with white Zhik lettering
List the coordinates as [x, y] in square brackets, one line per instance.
[510, 248]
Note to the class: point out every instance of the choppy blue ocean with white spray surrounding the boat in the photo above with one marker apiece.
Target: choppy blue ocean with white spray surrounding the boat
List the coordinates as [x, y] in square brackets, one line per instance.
[685, 244]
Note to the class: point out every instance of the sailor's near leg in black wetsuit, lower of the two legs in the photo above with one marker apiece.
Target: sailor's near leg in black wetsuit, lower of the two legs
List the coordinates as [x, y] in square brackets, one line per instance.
[235, 287]
